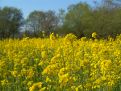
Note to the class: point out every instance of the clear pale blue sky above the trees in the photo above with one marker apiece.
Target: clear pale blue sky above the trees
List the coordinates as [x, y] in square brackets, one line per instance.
[28, 6]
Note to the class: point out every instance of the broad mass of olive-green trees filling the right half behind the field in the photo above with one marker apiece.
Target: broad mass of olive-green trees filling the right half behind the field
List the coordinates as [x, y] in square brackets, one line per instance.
[83, 20]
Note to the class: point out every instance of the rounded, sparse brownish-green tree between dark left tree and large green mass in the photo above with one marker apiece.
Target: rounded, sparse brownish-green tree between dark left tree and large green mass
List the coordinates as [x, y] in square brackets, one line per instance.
[39, 21]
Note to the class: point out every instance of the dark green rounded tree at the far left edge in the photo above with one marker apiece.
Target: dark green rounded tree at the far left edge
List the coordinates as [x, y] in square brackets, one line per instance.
[10, 22]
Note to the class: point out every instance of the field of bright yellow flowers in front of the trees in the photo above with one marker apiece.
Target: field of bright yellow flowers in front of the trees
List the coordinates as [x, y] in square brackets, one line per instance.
[60, 64]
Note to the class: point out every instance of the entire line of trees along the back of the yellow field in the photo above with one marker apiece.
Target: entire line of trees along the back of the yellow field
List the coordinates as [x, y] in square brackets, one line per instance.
[80, 19]
